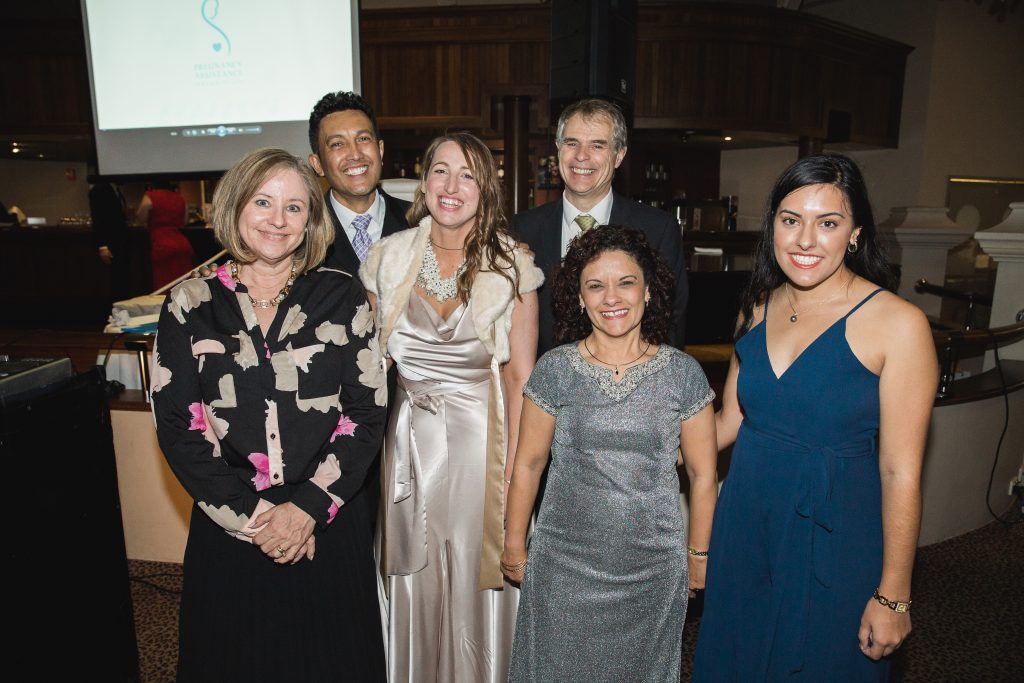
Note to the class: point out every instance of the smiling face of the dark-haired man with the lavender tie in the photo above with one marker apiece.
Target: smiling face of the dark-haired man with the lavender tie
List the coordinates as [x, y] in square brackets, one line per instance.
[350, 156]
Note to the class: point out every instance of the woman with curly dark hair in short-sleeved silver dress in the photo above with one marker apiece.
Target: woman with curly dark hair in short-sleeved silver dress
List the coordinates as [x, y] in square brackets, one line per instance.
[605, 590]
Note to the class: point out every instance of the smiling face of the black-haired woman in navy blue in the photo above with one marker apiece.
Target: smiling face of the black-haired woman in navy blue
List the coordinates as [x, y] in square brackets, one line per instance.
[813, 229]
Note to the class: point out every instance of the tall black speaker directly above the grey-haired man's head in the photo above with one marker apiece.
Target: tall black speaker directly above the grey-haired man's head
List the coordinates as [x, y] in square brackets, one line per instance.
[593, 53]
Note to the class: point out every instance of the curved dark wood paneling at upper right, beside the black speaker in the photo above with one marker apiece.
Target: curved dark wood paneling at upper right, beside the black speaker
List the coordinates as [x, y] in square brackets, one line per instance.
[760, 69]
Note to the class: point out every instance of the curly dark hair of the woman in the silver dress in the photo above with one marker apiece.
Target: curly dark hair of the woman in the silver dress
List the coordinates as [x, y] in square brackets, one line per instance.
[572, 324]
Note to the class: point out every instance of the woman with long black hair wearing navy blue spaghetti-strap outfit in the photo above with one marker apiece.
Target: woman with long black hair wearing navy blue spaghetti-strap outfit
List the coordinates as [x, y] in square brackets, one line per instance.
[828, 400]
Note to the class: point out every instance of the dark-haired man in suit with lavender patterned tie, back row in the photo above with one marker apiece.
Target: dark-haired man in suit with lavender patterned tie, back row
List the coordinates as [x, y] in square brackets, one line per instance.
[349, 152]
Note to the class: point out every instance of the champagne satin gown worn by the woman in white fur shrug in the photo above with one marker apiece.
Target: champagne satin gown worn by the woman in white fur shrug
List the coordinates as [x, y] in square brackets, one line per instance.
[441, 627]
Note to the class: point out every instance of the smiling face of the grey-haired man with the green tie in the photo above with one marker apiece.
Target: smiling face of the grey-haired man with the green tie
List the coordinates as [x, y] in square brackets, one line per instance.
[587, 159]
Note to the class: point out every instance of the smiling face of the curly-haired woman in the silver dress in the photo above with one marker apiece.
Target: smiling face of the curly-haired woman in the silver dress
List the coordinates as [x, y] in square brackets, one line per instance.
[615, 294]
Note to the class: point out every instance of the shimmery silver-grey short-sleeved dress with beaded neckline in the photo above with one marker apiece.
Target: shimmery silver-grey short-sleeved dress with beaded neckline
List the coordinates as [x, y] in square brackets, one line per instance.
[605, 593]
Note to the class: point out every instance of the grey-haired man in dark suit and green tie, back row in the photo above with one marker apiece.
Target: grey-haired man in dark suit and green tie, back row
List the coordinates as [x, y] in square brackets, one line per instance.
[591, 142]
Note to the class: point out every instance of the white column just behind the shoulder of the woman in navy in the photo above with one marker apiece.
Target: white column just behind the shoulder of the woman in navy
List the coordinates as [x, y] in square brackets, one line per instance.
[923, 237]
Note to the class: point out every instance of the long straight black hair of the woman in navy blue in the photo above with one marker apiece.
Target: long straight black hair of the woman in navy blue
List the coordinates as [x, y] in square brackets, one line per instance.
[870, 262]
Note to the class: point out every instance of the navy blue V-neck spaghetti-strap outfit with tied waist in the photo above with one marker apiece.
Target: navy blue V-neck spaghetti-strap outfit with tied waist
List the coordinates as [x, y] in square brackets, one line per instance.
[796, 547]
